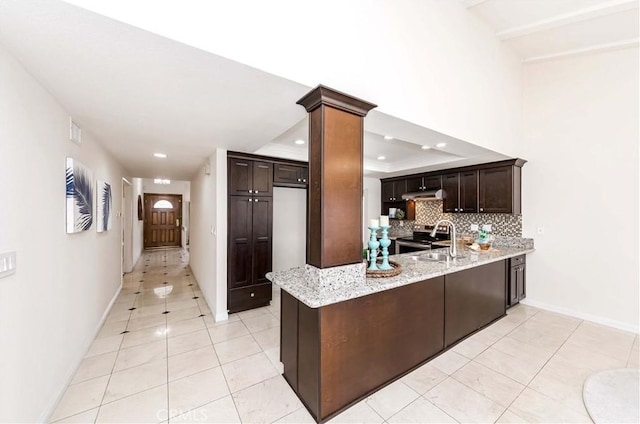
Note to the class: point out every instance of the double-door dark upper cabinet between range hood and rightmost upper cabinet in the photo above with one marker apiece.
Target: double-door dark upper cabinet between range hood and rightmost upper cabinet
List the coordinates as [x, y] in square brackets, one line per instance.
[461, 192]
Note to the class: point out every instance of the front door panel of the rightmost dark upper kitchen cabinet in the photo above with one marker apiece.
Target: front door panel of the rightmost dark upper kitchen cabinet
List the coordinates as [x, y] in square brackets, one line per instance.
[496, 190]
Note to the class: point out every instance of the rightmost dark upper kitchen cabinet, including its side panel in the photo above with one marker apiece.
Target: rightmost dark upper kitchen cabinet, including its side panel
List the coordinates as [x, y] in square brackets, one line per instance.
[500, 189]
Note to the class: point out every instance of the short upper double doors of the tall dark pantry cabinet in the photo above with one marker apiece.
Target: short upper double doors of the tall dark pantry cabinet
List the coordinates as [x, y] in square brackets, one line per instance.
[250, 177]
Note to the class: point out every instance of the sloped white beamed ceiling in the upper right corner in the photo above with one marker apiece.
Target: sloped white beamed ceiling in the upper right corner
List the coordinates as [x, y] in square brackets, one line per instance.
[544, 29]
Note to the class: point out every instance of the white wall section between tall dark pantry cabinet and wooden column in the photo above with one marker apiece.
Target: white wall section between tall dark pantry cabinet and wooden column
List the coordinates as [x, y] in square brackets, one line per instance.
[289, 228]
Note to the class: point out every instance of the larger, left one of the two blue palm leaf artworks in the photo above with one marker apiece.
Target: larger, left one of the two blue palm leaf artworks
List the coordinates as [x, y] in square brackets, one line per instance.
[79, 197]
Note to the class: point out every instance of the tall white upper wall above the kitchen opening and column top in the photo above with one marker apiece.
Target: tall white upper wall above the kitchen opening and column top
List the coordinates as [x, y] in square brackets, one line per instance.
[430, 62]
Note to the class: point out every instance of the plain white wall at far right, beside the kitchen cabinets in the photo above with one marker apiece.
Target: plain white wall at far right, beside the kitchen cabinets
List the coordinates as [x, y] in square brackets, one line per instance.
[581, 185]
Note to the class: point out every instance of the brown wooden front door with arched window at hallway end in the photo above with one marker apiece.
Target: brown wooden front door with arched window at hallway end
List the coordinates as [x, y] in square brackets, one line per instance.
[162, 220]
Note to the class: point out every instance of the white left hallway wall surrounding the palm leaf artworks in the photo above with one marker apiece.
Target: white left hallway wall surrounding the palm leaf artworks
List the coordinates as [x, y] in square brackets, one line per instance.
[50, 309]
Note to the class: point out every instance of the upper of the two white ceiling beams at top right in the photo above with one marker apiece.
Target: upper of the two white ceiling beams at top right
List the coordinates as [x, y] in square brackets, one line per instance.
[585, 14]
